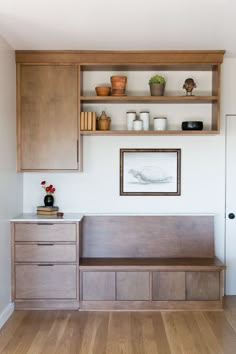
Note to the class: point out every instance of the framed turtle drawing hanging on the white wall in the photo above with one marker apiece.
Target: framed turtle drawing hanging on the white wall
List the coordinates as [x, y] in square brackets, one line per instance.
[150, 171]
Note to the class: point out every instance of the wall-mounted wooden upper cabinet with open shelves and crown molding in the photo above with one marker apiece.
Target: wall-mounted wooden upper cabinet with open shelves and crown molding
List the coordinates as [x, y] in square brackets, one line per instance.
[53, 87]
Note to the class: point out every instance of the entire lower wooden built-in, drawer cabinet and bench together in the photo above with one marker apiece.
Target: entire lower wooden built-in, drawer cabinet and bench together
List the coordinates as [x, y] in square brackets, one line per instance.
[116, 262]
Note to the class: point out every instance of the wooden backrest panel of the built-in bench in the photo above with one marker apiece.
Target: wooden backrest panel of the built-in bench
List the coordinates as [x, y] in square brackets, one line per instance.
[148, 236]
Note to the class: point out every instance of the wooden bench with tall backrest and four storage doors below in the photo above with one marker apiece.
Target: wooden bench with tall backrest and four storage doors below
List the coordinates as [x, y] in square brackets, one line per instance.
[149, 262]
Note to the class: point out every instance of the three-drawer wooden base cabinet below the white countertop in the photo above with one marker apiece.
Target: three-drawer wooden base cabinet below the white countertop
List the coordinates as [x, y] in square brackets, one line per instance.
[45, 265]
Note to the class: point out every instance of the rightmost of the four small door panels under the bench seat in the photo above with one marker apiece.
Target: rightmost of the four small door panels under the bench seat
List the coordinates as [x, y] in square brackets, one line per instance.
[203, 285]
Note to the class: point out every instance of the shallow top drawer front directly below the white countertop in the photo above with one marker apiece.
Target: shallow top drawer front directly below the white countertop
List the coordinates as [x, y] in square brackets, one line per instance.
[45, 232]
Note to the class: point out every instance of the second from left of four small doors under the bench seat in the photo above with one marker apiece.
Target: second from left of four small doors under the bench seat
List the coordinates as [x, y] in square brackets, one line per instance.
[132, 285]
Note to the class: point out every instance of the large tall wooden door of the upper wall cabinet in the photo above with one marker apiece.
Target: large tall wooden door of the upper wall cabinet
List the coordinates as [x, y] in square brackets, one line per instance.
[48, 118]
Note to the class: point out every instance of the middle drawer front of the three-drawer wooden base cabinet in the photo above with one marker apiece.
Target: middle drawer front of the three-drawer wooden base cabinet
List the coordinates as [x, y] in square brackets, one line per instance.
[45, 253]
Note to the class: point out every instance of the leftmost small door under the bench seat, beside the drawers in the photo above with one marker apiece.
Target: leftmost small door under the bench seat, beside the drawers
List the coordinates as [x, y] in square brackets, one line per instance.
[98, 286]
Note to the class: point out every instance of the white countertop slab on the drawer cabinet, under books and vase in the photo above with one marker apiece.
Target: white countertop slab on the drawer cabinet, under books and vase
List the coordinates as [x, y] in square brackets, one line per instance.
[35, 217]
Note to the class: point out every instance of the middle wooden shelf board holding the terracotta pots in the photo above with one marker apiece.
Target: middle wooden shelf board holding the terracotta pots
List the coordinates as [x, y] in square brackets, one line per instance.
[149, 99]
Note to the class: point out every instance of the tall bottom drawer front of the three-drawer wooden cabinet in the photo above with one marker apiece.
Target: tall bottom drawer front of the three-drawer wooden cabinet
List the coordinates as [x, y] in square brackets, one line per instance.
[45, 281]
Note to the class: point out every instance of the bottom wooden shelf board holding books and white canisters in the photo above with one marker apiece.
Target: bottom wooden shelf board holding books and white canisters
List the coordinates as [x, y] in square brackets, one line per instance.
[149, 132]
